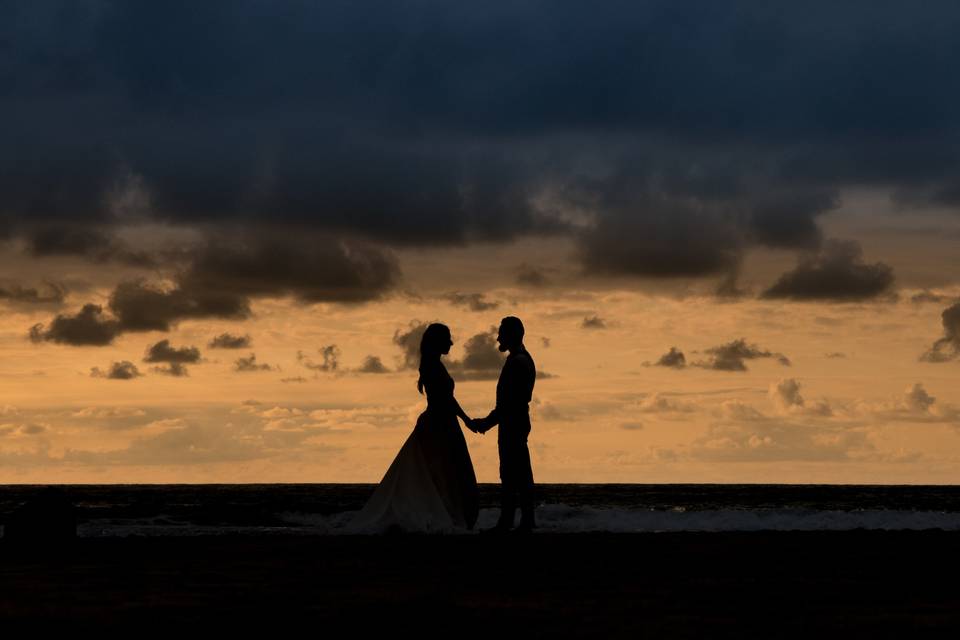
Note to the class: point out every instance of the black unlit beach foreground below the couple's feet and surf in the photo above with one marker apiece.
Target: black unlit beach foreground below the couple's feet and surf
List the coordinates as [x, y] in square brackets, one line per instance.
[859, 584]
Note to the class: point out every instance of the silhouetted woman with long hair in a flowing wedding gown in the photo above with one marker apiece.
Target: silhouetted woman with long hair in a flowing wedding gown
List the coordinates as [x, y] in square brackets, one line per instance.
[431, 485]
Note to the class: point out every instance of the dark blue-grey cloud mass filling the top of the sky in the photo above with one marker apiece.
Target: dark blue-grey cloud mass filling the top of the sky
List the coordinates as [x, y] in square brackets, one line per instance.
[759, 118]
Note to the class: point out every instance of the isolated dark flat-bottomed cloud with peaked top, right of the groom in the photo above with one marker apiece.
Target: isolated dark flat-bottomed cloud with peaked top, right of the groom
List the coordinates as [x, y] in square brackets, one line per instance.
[836, 273]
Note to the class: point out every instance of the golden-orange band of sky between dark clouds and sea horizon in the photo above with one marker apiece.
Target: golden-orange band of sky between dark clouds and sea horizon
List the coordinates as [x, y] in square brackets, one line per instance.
[854, 404]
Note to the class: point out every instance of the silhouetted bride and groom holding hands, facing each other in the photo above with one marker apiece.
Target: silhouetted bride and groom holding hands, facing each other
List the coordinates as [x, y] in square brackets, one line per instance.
[431, 485]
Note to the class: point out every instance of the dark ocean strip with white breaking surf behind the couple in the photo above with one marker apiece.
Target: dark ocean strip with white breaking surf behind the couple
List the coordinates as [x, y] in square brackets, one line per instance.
[325, 509]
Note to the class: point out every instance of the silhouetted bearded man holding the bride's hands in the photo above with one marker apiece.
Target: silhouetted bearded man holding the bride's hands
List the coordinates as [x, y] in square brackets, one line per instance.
[512, 414]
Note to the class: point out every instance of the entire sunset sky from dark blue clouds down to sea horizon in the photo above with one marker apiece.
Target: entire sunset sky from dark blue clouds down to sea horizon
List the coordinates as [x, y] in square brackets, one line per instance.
[730, 229]
